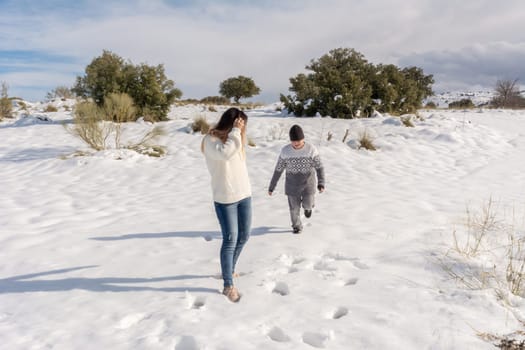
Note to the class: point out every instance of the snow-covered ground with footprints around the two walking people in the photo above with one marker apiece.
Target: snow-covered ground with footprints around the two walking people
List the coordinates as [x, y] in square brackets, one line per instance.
[118, 250]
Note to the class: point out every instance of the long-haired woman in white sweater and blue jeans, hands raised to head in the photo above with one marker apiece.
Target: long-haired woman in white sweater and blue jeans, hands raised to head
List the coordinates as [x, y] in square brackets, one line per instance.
[225, 153]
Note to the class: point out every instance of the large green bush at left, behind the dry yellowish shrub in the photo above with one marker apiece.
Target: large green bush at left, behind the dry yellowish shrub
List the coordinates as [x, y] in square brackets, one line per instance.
[148, 86]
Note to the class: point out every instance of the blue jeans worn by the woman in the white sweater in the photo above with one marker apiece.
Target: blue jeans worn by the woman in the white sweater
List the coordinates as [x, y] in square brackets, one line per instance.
[235, 220]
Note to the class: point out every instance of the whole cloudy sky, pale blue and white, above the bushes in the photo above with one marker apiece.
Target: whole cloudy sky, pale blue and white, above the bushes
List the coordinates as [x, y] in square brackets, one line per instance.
[466, 45]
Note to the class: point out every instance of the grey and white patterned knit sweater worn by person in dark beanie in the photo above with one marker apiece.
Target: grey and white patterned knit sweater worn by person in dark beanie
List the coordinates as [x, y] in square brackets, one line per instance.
[301, 167]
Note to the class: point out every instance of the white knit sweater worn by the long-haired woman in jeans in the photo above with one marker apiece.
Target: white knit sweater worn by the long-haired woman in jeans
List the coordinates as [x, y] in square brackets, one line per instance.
[227, 166]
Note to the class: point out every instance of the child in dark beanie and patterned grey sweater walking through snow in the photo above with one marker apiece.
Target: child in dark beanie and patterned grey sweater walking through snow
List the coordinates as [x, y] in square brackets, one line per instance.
[302, 162]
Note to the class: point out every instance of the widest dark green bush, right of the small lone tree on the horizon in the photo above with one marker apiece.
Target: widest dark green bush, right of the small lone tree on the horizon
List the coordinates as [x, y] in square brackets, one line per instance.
[343, 84]
